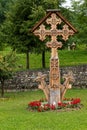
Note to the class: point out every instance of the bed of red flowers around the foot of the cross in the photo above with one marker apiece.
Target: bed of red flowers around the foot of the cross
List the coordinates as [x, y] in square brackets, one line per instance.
[42, 105]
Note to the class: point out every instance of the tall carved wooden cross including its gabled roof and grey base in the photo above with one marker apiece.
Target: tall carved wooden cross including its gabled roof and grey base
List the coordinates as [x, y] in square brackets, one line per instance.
[53, 19]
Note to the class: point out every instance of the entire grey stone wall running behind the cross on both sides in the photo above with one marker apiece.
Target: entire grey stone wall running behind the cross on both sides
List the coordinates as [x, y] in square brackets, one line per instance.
[25, 79]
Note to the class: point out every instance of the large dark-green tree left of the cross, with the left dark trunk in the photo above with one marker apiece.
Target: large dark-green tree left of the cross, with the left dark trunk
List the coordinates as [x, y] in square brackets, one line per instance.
[17, 27]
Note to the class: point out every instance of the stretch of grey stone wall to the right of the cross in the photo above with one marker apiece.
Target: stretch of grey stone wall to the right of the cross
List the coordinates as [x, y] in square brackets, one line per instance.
[80, 75]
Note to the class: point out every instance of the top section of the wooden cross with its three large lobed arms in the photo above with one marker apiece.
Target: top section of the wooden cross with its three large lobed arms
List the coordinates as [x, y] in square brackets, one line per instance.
[54, 21]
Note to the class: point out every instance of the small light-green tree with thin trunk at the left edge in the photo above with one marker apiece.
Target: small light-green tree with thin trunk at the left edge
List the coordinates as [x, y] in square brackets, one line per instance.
[7, 65]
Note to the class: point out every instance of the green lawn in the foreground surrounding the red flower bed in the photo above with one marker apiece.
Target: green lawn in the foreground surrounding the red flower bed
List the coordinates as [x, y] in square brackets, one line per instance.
[15, 116]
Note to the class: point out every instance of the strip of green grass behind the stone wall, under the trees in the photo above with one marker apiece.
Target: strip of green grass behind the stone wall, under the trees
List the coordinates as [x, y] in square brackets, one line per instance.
[66, 58]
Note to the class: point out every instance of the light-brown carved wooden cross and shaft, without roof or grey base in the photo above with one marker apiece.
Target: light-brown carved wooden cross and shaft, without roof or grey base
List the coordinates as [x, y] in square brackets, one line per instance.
[54, 21]
